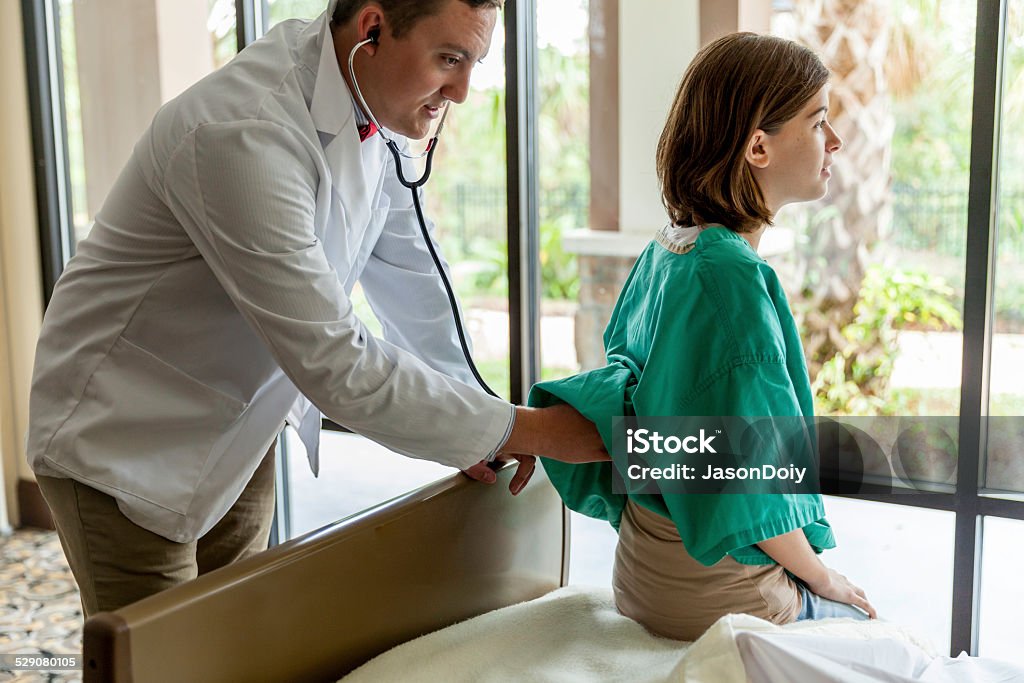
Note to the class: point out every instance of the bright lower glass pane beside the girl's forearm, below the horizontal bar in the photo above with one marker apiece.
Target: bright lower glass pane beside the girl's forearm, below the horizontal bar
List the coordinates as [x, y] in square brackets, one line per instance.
[886, 548]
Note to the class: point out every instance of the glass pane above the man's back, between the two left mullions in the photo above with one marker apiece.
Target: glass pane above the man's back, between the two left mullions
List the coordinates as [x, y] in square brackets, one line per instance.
[114, 81]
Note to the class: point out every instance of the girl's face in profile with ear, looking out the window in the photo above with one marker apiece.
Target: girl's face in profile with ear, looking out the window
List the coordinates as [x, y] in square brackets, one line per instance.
[793, 164]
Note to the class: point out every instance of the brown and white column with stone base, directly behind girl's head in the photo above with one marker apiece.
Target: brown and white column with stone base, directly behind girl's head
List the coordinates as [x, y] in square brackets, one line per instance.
[638, 53]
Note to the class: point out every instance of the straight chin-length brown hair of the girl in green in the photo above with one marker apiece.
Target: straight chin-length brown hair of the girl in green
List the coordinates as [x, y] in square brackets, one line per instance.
[736, 86]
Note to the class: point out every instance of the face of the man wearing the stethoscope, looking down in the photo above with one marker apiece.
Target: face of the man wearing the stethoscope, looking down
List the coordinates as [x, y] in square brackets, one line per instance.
[409, 79]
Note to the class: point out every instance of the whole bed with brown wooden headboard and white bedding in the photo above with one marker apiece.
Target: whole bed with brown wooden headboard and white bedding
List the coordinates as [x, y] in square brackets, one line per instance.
[404, 578]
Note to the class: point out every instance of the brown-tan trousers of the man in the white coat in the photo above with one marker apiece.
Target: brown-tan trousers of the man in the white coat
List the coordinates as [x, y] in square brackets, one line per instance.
[117, 563]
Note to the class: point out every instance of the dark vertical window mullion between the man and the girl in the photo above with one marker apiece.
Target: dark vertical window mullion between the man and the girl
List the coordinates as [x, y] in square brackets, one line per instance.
[524, 219]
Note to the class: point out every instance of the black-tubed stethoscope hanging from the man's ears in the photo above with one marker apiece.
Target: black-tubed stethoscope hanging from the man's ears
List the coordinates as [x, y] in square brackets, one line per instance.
[414, 187]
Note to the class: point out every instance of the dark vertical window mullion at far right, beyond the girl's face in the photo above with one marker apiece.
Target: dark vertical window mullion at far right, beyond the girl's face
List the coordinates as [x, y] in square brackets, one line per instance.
[982, 236]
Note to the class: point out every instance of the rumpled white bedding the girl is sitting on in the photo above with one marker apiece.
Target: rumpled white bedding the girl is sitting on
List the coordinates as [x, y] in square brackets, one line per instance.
[575, 634]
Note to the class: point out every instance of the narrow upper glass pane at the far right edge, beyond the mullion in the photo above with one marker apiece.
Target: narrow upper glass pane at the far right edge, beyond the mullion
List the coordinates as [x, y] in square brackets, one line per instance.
[1006, 467]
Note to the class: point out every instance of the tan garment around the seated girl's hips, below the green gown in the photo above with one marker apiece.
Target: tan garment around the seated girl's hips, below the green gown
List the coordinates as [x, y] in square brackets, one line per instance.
[657, 583]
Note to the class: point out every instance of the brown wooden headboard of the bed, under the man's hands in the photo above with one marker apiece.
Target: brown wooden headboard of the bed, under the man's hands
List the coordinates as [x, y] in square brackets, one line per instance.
[318, 607]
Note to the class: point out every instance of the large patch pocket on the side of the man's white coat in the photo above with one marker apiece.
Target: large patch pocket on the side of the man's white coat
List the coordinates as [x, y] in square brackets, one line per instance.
[133, 408]
